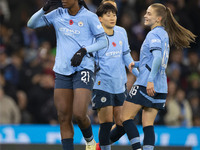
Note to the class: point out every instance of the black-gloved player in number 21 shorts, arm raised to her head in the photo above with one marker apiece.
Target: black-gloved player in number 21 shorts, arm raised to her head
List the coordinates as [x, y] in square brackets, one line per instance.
[76, 30]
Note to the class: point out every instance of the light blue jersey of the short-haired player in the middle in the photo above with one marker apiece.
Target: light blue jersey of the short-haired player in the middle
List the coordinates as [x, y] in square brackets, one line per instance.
[112, 74]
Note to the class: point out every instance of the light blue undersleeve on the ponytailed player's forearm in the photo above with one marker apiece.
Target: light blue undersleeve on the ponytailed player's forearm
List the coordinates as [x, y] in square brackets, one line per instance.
[155, 65]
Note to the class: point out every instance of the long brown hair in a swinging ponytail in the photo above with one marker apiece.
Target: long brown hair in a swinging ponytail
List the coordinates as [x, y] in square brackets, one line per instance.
[178, 35]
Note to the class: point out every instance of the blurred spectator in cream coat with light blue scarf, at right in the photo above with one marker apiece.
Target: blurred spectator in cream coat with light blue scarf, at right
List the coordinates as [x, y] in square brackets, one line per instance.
[179, 112]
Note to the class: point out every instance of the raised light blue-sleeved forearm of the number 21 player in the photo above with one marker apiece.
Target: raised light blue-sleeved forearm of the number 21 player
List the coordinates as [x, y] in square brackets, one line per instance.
[36, 20]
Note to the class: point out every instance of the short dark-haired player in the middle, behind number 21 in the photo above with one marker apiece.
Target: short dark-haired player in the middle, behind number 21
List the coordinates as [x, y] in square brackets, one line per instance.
[109, 89]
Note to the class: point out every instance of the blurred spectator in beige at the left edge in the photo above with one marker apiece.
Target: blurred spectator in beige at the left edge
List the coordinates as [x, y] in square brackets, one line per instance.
[9, 111]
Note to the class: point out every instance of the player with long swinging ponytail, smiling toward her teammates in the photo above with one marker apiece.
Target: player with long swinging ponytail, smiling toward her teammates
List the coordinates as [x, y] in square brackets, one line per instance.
[149, 92]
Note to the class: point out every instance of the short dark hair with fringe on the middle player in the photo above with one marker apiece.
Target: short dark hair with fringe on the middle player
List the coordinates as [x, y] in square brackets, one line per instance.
[104, 8]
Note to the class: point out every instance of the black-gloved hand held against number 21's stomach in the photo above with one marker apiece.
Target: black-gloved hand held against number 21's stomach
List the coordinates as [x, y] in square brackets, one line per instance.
[78, 56]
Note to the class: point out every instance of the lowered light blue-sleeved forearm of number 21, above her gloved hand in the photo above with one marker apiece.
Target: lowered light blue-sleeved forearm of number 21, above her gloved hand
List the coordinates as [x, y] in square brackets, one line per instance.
[100, 43]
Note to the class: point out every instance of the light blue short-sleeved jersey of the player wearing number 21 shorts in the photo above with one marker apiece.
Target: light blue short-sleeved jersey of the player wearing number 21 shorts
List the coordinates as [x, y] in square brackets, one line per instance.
[73, 33]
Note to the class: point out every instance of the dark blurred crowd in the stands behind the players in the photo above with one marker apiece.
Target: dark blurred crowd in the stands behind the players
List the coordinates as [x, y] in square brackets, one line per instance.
[27, 57]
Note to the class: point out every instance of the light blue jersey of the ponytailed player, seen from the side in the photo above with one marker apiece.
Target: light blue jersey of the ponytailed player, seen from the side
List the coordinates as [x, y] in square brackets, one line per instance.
[156, 39]
